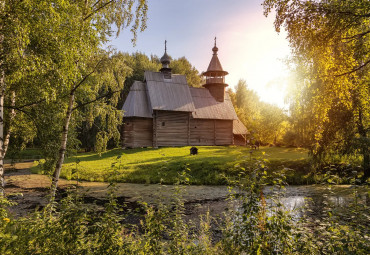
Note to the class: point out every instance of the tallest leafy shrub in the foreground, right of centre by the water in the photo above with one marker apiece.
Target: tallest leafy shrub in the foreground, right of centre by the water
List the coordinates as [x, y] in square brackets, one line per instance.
[258, 227]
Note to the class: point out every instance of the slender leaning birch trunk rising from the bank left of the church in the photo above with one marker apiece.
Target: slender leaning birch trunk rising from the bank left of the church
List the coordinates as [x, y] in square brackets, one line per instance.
[63, 145]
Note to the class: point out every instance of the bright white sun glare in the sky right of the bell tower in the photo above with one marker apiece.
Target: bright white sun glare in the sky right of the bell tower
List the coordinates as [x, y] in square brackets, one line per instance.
[256, 54]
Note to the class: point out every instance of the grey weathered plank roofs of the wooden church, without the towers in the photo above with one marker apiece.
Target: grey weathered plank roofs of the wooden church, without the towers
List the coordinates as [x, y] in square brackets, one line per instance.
[157, 93]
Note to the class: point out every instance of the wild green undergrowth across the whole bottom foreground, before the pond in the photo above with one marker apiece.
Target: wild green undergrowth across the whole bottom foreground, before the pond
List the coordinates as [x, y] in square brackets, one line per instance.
[256, 222]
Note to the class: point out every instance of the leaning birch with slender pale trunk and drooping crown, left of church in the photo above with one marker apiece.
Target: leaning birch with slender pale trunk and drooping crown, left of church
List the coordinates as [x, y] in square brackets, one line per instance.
[92, 27]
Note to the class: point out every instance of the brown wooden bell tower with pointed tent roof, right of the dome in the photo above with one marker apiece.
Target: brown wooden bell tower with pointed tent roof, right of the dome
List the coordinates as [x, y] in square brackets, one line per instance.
[215, 77]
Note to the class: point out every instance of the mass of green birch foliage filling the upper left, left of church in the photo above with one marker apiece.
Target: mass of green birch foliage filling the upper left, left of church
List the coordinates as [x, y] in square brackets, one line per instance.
[52, 59]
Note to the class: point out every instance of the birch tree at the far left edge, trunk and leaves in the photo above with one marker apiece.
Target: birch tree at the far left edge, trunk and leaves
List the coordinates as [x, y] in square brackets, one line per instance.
[15, 64]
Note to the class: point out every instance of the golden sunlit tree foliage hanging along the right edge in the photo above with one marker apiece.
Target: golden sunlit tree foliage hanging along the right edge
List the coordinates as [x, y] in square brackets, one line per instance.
[330, 43]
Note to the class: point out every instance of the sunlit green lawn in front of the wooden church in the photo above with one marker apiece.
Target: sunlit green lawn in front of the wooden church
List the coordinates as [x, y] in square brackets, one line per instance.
[149, 165]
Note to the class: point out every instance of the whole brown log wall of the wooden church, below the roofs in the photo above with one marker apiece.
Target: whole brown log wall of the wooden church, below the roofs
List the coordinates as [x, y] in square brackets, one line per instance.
[169, 128]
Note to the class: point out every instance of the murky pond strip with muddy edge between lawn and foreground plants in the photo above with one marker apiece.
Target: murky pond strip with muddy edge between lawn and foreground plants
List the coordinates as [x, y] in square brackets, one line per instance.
[35, 189]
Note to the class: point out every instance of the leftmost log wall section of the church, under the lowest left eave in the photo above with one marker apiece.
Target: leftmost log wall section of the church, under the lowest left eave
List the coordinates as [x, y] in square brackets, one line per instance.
[137, 132]
